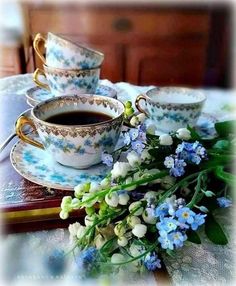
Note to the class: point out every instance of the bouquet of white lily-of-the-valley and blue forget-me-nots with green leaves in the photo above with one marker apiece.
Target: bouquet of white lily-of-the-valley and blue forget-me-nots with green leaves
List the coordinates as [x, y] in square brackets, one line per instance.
[159, 192]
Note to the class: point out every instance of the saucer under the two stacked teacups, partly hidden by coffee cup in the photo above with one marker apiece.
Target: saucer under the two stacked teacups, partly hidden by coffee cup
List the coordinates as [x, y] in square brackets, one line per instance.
[37, 94]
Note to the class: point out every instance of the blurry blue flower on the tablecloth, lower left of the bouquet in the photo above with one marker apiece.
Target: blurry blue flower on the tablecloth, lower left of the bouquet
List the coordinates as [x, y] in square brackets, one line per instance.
[56, 262]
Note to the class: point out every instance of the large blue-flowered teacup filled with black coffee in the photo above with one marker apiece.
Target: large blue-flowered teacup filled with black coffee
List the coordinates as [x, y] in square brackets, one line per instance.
[75, 145]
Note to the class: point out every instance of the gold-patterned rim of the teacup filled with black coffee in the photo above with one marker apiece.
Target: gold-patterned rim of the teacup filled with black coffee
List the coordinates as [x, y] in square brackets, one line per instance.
[94, 125]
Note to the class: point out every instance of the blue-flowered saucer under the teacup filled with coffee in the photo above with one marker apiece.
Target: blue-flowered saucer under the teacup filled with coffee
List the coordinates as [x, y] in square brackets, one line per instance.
[38, 167]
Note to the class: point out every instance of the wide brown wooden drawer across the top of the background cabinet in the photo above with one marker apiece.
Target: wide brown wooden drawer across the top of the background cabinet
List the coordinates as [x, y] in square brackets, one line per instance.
[121, 23]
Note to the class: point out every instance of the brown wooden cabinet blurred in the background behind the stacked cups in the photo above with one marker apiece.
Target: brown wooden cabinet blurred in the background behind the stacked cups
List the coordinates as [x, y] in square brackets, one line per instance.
[142, 44]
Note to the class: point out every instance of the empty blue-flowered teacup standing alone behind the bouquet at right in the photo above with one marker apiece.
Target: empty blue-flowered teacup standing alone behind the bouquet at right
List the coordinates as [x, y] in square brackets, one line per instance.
[171, 108]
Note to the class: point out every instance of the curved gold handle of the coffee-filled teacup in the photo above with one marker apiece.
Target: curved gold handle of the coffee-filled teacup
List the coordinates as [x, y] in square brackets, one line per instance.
[19, 131]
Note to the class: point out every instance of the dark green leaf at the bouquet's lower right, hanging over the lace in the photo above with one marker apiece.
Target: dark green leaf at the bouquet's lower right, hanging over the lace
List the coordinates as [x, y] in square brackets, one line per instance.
[214, 231]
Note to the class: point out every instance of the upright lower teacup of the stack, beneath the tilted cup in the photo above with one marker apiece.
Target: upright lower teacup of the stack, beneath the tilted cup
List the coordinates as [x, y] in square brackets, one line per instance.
[61, 82]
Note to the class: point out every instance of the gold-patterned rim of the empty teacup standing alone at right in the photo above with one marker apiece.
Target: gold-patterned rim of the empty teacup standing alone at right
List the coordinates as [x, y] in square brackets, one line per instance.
[176, 104]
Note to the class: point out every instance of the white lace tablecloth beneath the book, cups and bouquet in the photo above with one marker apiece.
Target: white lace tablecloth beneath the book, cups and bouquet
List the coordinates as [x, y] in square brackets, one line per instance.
[23, 255]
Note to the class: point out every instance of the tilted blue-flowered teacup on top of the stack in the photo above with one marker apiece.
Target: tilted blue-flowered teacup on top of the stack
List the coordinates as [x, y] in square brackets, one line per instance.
[61, 53]
